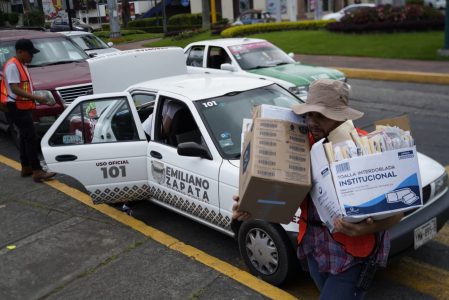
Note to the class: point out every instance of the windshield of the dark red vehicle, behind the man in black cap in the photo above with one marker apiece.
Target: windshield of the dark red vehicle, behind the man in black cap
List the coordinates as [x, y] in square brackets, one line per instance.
[52, 51]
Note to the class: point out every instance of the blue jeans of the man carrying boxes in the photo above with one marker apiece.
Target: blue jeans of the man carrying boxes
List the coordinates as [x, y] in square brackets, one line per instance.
[336, 287]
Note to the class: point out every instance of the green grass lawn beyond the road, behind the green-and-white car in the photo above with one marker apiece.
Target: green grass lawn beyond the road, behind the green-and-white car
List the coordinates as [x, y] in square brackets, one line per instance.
[413, 45]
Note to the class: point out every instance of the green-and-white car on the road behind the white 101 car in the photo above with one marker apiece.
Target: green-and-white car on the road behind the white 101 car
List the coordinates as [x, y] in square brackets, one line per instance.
[256, 57]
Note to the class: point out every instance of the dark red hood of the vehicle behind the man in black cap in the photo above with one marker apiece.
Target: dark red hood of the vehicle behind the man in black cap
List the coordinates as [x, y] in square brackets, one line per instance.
[50, 77]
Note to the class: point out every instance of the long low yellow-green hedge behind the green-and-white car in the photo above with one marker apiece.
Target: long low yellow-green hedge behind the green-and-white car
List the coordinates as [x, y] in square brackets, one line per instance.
[243, 30]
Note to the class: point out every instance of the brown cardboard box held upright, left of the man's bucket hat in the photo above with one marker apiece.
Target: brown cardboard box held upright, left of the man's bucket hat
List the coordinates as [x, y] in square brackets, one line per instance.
[274, 166]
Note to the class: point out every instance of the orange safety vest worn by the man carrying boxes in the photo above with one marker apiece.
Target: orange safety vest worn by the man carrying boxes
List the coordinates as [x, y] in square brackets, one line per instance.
[360, 246]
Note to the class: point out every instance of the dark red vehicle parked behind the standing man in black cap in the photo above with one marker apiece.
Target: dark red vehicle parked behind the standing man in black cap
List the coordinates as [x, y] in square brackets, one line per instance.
[59, 69]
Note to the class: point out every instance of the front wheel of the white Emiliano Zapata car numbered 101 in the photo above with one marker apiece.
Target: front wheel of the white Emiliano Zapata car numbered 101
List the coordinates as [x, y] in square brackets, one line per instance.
[266, 251]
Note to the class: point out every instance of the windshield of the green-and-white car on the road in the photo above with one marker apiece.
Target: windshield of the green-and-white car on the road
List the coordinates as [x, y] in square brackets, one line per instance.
[259, 55]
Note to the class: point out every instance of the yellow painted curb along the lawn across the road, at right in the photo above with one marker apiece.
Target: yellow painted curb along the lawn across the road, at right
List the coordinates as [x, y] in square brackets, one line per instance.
[419, 77]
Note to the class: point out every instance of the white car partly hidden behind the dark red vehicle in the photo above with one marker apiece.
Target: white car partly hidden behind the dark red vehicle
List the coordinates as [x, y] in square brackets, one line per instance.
[90, 43]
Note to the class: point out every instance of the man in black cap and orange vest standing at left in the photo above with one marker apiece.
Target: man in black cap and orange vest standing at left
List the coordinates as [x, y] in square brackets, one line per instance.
[16, 94]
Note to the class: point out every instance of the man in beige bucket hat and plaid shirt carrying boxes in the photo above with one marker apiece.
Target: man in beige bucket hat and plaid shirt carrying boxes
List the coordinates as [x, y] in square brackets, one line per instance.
[341, 263]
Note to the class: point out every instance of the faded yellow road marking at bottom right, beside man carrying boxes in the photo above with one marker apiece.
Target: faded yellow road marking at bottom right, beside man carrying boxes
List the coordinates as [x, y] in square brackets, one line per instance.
[421, 277]
